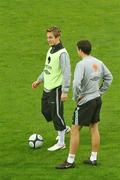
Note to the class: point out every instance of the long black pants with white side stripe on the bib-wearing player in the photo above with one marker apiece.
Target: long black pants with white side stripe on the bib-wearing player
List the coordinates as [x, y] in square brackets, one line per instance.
[52, 108]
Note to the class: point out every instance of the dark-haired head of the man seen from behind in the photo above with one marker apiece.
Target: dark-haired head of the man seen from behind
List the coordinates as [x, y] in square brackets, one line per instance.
[84, 47]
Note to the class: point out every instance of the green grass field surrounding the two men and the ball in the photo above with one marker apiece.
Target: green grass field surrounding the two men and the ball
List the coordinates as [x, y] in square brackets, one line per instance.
[23, 48]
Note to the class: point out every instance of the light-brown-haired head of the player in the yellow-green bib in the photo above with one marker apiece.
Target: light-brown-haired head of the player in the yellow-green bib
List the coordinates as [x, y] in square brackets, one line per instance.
[53, 35]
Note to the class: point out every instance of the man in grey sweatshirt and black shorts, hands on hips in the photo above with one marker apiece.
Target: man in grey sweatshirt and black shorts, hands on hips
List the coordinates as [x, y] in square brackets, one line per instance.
[87, 93]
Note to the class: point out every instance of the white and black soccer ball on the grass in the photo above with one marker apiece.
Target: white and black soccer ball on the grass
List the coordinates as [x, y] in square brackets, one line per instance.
[35, 141]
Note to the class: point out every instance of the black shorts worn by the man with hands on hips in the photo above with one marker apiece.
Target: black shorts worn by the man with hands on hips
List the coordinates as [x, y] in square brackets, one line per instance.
[88, 113]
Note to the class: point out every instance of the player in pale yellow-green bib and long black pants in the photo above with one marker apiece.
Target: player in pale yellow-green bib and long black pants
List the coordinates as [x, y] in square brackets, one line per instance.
[56, 77]
